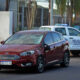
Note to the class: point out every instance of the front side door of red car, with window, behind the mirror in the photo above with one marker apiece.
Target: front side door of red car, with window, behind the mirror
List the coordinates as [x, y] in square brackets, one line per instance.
[49, 42]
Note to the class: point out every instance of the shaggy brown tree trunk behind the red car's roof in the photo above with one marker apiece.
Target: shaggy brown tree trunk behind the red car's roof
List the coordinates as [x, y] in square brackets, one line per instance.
[31, 13]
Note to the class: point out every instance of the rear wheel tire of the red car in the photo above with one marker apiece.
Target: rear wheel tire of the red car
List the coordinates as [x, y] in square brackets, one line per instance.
[66, 60]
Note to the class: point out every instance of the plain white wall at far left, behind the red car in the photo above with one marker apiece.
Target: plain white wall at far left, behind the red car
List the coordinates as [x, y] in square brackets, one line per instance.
[5, 24]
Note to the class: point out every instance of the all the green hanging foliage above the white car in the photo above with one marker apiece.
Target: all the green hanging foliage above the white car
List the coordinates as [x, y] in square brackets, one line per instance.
[73, 7]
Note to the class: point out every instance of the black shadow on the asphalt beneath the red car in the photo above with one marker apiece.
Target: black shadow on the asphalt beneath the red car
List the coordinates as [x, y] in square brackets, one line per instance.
[50, 68]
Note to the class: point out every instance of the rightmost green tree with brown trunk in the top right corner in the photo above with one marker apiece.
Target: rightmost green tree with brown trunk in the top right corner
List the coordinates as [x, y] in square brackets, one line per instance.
[74, 9]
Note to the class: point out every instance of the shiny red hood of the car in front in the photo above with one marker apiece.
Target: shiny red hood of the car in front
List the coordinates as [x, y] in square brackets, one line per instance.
[17, 48]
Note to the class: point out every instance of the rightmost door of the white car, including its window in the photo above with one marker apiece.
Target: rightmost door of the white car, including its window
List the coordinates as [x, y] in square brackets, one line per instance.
[74, 39]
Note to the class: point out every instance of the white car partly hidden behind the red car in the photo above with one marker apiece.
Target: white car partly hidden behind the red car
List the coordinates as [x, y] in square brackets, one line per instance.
[71, 34]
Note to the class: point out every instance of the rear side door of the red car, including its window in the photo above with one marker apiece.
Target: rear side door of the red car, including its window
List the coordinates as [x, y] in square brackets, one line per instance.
[59, 45]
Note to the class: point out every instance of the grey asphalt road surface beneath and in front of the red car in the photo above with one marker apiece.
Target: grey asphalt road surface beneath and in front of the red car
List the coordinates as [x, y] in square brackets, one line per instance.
[51, 73]
